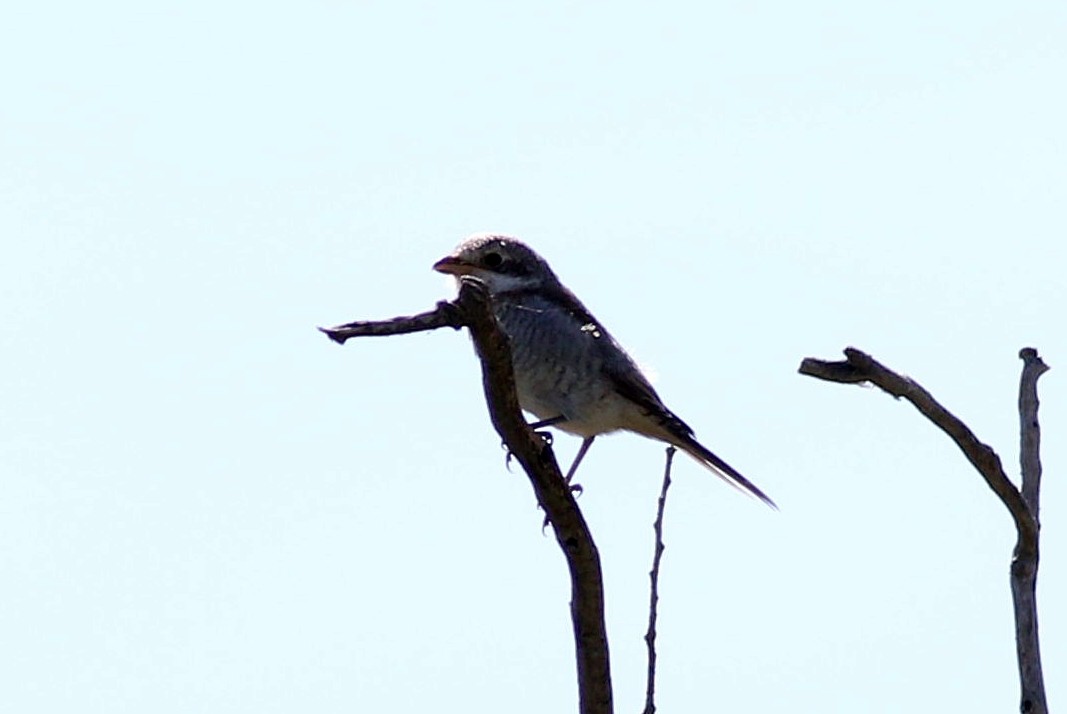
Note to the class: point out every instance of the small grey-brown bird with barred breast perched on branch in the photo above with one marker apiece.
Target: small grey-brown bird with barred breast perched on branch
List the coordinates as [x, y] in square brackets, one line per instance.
[570, 372]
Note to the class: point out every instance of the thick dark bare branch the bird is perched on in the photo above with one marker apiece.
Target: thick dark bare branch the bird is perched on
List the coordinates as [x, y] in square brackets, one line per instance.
[473, 310]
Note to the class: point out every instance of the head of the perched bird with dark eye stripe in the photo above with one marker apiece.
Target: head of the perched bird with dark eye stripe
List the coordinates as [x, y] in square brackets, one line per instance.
[501, 262]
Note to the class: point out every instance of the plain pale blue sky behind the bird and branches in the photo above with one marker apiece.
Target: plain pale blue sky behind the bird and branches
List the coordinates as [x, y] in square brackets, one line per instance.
[206, 506]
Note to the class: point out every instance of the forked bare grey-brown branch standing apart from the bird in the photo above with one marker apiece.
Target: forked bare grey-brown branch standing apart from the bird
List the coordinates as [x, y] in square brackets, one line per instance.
[1022, 503]
